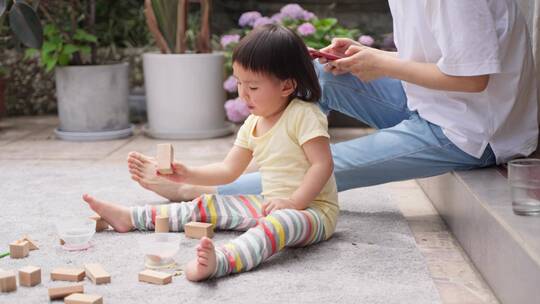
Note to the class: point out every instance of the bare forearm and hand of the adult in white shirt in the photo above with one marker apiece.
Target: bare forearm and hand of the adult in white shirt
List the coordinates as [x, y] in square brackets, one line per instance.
[368, 64]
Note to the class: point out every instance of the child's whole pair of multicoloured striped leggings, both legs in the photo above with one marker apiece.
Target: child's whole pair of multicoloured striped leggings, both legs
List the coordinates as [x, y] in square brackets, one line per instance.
[264, 236]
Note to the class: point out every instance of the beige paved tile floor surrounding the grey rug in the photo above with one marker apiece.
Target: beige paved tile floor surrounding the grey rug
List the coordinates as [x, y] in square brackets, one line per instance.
[31, 140]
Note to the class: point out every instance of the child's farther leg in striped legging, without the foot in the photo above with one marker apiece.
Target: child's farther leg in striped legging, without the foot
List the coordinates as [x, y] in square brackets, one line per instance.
[225, 212]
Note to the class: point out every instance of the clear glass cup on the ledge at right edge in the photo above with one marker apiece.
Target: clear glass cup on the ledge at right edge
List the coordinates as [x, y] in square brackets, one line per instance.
[524, 180]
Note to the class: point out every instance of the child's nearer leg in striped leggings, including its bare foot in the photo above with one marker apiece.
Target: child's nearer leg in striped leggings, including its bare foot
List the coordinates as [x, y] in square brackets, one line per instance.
[286, 227]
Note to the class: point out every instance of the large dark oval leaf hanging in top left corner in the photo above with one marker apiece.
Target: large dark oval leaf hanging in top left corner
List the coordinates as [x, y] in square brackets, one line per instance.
[24, 22]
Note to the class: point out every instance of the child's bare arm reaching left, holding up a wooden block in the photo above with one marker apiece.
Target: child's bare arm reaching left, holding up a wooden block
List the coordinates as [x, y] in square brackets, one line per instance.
[215, 174]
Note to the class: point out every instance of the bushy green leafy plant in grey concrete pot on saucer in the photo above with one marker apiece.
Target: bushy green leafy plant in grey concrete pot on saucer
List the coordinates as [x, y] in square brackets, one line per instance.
[92, 98]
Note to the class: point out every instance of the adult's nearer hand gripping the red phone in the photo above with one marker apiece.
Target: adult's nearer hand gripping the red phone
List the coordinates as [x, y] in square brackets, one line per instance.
[363, 62]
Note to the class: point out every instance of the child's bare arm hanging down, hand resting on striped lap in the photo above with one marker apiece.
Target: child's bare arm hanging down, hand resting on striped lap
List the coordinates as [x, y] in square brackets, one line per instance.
[318, 153]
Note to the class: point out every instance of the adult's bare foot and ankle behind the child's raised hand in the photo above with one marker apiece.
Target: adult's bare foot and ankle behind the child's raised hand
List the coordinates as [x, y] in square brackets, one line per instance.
[143, 171]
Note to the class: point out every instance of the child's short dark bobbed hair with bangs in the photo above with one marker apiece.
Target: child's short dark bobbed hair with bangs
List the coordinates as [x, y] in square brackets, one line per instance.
[276, 50]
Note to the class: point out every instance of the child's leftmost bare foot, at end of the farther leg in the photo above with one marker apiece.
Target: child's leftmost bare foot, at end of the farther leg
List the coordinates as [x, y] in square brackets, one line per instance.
[117, 216]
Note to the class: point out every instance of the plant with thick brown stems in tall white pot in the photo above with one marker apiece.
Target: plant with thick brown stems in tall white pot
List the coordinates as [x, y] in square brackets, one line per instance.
[184, 90]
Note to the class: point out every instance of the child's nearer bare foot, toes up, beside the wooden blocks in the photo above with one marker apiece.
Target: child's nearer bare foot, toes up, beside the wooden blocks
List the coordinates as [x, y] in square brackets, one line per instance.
[205, 264]
